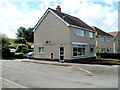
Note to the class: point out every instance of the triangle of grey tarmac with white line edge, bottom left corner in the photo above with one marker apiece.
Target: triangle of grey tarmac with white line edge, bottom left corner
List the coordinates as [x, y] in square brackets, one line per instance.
[10, 84]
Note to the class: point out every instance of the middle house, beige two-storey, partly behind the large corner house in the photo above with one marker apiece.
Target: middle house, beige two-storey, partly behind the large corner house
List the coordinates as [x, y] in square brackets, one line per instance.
[104, 41]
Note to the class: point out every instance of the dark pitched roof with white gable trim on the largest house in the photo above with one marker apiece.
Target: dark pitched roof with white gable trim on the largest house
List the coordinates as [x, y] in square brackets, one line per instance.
[70, 20]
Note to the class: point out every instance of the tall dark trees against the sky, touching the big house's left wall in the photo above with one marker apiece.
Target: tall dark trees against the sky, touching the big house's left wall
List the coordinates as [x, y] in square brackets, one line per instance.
[25, 33]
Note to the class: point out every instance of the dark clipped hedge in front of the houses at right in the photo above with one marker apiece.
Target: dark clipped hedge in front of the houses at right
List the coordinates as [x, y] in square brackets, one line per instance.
[109, 55]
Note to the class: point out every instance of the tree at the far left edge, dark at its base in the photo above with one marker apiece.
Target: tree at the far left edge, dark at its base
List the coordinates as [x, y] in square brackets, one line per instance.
[5, 45]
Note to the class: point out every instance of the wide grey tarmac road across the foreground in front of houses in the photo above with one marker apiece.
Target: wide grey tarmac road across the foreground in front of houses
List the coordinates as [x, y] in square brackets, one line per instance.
[33, 75]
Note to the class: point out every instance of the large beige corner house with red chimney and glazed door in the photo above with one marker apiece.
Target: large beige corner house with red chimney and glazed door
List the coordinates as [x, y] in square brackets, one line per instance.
[63, 37]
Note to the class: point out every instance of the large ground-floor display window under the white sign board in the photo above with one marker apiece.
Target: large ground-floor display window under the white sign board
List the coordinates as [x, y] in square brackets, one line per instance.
[79, 50]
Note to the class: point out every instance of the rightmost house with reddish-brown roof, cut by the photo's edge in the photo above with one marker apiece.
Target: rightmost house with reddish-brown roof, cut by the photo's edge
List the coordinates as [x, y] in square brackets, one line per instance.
[116, 44]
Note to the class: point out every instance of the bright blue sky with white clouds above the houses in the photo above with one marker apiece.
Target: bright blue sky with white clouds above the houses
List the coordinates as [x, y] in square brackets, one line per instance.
[26, 13]
